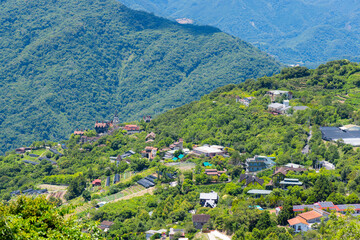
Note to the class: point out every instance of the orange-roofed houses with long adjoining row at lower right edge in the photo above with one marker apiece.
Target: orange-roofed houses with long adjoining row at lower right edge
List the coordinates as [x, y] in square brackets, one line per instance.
[305, 220]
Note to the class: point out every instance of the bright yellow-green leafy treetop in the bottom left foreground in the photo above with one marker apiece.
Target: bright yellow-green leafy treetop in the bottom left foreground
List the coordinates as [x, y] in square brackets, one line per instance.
[37, 218]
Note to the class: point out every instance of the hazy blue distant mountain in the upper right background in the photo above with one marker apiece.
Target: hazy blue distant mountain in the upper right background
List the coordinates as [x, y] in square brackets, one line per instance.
[307, 32]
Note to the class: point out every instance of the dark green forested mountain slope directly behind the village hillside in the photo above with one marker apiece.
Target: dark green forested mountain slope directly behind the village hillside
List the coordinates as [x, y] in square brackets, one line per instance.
[65, 64]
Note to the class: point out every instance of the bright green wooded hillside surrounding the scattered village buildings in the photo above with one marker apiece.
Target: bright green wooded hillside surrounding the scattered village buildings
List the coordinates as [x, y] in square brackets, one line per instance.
[332, 94]
